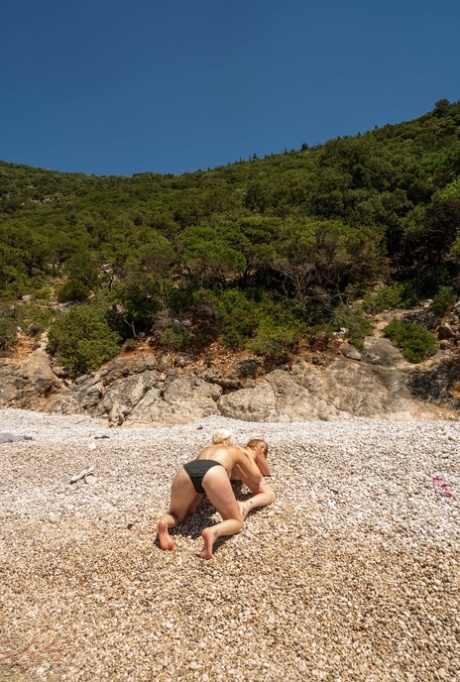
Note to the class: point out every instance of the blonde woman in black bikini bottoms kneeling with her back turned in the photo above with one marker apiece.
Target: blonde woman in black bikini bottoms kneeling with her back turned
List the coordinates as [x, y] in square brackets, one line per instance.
[210, 474]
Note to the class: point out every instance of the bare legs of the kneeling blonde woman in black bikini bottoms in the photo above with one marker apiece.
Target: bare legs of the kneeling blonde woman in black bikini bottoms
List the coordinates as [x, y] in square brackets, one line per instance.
[220, 493]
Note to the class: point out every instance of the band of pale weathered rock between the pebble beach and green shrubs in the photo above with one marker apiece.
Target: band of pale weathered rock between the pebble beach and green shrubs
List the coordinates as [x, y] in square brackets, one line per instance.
[166, 390]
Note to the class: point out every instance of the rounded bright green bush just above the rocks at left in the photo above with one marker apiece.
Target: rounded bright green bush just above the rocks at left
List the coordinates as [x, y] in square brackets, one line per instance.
[82, 339]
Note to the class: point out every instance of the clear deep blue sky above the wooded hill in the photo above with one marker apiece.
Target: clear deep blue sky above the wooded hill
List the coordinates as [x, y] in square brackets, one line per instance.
[110, 87]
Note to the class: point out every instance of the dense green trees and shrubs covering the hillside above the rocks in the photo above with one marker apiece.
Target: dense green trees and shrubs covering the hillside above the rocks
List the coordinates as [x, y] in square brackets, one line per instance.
[258, 255]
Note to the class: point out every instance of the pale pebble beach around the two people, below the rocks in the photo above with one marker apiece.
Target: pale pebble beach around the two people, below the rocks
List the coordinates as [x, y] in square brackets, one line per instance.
[351, 575]
